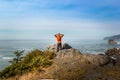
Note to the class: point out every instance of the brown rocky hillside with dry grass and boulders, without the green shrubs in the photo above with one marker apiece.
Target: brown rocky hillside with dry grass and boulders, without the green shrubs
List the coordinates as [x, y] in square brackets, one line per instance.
[71, 64]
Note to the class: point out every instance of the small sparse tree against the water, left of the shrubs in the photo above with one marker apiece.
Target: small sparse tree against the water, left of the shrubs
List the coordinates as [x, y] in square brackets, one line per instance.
[18, 57]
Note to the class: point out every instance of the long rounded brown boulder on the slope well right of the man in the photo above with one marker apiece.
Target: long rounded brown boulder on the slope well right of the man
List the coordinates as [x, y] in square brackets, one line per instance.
[95, 59]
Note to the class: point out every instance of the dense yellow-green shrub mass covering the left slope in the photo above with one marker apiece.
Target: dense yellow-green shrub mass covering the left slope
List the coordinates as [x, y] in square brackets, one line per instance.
[34, 60]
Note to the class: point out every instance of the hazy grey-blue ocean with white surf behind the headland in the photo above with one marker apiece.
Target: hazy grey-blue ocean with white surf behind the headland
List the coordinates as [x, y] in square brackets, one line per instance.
[7, 47]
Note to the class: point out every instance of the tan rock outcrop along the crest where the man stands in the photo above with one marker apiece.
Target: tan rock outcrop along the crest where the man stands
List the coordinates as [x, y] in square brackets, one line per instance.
[69, 52]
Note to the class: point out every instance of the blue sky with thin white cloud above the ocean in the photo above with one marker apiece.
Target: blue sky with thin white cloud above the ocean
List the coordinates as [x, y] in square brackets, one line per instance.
[76, 19]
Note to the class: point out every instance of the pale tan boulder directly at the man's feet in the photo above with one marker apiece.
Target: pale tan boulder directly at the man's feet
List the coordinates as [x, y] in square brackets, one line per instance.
[68, 53]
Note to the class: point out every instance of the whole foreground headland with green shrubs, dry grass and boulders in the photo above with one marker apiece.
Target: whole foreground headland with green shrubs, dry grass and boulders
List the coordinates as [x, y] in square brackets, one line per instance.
[67, 64]
